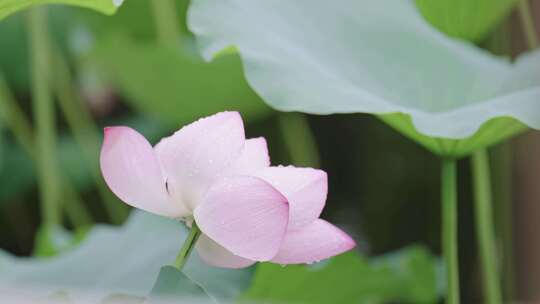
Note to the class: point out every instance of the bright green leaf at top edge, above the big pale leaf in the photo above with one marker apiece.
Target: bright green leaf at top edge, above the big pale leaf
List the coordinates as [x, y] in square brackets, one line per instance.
[466, 19]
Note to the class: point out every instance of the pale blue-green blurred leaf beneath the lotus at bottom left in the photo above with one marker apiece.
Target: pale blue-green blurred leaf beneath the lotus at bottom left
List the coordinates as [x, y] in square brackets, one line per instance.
[116, 261]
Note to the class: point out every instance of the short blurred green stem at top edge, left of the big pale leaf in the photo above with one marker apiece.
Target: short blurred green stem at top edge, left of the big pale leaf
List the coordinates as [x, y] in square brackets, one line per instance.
[166, 22]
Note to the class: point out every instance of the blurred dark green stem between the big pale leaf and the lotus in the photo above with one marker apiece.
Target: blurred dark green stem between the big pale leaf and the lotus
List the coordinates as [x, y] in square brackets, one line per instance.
[299, 139]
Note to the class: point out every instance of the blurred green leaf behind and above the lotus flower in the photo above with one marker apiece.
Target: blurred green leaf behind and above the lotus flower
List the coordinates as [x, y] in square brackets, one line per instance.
[184, 87]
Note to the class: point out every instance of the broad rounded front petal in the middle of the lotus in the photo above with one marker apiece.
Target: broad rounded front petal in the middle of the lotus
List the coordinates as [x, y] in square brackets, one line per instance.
[246, 215]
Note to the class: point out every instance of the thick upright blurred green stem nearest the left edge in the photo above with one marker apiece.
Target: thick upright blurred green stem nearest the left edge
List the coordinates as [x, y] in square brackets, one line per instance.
[44, 116]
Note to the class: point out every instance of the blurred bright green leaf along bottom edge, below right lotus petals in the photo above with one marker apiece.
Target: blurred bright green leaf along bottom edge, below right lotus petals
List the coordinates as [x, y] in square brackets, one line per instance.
[409, 275]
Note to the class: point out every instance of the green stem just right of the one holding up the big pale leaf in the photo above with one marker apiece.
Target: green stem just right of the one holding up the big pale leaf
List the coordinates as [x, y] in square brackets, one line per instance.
[484, 226]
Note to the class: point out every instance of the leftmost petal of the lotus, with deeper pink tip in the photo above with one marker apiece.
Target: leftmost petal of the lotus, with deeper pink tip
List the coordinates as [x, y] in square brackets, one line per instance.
[132, 172]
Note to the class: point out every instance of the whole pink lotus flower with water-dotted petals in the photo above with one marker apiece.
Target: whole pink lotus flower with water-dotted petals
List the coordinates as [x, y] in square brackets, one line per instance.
[208, 172]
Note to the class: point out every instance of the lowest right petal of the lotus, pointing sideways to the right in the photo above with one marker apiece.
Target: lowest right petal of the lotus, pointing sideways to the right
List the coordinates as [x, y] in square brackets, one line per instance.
[317, 241]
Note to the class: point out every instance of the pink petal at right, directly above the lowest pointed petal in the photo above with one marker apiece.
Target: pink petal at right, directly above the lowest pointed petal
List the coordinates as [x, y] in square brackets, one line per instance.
[305, 189]
